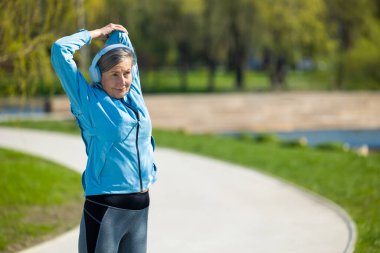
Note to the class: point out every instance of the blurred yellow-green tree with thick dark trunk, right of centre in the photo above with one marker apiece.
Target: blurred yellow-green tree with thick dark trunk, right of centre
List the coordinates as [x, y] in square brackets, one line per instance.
[287, 31]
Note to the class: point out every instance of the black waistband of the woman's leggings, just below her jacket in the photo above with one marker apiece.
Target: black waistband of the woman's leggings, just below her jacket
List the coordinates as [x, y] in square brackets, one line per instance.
[132, 201]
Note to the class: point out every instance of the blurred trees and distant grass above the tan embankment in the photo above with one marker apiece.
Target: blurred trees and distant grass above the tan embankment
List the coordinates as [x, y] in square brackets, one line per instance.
[203, 45]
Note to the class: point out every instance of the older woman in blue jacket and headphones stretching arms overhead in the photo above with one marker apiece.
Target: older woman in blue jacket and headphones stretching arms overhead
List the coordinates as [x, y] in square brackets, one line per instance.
[117, 132]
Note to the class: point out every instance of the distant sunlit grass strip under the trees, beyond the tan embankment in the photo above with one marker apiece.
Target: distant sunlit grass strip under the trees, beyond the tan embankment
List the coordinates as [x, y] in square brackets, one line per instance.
[168, 80]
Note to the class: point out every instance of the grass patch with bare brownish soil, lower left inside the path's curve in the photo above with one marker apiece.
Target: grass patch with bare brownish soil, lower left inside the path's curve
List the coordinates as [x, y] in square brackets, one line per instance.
[39, 199]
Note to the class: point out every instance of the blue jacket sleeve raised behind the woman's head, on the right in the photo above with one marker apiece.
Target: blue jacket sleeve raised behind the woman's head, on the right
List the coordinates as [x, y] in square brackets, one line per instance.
[122, 38]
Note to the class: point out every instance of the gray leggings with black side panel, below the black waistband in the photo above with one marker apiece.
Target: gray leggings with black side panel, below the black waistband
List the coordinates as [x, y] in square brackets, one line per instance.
[107, 229]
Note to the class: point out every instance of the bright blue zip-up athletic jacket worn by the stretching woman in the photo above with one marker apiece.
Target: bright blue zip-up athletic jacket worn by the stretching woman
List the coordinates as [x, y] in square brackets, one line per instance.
[117, 132]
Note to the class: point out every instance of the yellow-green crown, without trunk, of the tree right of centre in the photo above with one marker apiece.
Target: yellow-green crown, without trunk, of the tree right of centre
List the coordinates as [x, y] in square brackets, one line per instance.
[286, 27]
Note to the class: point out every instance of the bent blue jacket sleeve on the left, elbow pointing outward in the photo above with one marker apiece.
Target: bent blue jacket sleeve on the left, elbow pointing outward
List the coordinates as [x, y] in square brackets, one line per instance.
[73, 82]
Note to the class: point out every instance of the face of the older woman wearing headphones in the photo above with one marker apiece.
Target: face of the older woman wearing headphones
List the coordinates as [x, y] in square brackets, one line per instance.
[117, 81]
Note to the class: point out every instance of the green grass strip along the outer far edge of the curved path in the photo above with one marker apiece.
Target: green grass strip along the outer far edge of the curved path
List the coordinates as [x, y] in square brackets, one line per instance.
[347, 179]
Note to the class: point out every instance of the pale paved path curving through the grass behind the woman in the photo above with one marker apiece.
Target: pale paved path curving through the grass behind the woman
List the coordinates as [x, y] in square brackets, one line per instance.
[204, 205]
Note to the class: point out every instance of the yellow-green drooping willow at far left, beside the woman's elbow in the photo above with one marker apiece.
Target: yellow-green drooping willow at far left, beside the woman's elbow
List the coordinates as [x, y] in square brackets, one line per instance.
[26, 36]
